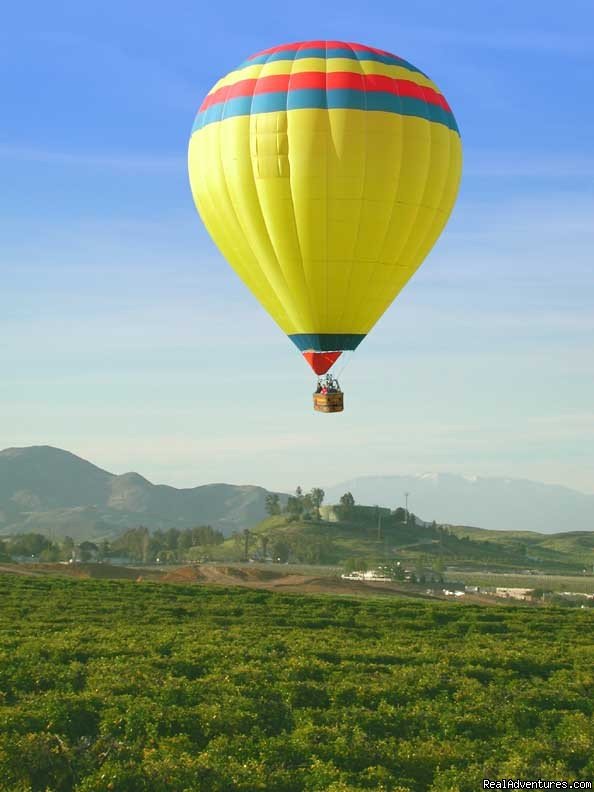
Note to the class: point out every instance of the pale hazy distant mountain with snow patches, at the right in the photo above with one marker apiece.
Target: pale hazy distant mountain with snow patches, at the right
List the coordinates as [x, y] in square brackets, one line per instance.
[492, 503]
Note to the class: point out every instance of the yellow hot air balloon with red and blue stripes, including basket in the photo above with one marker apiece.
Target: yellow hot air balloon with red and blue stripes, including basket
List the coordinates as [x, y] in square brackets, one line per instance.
[325, 171]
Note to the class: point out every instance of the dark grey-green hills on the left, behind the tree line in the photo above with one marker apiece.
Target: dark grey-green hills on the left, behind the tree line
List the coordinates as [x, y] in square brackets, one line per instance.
[45, 489]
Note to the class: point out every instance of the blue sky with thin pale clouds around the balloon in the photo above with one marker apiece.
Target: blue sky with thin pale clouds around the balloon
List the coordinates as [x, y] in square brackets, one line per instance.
[127, 339]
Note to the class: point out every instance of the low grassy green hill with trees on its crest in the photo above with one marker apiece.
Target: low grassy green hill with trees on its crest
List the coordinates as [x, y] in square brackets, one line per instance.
[377, 534]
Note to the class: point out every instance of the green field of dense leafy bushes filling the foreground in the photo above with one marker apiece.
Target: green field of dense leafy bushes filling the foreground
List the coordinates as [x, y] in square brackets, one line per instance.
[123, 686]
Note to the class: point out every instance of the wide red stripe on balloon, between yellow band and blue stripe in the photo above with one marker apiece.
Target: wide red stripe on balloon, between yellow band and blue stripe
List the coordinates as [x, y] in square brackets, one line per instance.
[276, 83]
